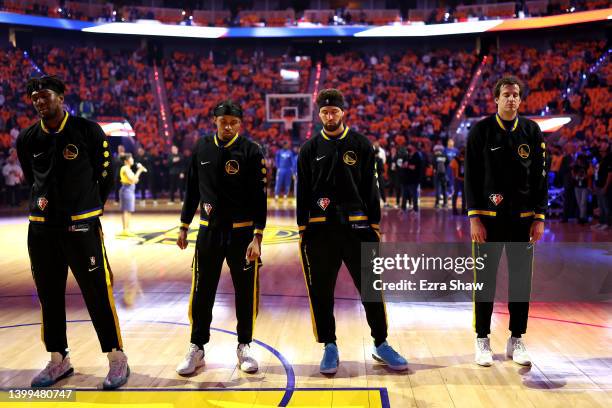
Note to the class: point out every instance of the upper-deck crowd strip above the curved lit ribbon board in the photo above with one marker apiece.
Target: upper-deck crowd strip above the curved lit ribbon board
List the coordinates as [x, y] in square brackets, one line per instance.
[246, 17]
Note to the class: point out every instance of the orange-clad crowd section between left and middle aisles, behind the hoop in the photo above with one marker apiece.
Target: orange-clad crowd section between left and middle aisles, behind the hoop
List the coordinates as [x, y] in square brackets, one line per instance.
[196, 83]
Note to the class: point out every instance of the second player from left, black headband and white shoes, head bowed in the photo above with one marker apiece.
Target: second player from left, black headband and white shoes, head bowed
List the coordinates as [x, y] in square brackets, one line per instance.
[227, 180]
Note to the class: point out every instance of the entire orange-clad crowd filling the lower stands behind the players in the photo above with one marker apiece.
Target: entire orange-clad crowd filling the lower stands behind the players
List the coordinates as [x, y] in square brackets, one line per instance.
[403, 101]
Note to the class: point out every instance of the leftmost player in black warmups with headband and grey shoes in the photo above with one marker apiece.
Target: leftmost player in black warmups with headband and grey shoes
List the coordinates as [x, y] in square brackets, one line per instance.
[67, 162]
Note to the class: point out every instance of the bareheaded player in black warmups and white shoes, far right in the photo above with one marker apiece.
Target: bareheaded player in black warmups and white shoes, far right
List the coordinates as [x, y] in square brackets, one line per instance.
[507, 195]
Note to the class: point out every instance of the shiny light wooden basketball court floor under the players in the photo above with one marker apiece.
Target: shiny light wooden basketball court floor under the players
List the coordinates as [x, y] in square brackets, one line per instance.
[570, 343]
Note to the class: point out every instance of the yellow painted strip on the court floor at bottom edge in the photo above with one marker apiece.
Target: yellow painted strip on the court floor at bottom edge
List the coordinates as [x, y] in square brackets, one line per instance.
[252, 398]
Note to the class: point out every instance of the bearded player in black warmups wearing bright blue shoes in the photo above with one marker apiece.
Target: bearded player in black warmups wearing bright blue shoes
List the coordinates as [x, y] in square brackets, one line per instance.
[338, 208]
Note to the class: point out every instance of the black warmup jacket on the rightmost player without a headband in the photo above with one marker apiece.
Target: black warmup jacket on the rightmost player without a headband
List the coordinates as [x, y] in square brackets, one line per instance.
[505, 169]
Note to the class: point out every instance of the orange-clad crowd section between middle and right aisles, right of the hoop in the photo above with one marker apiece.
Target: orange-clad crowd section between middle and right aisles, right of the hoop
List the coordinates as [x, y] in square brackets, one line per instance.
[398, 96]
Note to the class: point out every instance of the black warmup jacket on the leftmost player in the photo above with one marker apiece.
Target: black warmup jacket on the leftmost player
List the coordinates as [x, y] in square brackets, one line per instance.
[69, 170]
